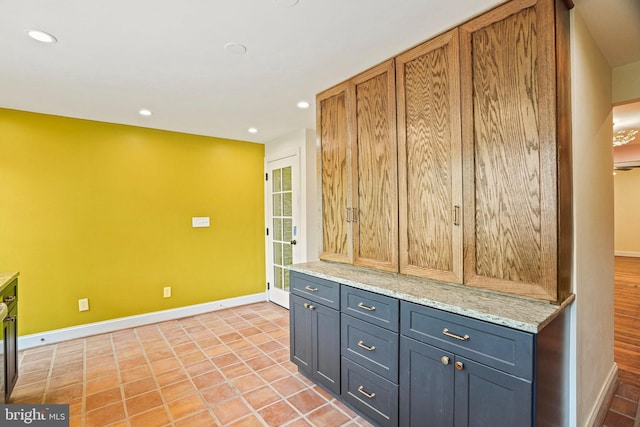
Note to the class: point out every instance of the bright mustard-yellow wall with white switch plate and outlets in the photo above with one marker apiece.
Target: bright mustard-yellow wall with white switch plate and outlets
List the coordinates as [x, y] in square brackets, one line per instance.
[103, 211]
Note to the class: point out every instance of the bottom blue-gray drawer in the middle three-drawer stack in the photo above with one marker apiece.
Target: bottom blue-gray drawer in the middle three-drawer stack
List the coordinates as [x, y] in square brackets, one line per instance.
[371, 394]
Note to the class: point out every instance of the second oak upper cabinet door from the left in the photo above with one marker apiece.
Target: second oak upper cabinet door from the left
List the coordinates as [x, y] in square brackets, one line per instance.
[376, 211]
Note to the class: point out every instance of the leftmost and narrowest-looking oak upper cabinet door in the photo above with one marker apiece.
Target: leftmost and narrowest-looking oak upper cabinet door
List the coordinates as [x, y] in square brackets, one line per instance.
[335, 157]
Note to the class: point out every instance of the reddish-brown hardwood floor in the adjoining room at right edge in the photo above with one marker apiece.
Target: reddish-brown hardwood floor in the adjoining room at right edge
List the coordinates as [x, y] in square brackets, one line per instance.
[627, 319]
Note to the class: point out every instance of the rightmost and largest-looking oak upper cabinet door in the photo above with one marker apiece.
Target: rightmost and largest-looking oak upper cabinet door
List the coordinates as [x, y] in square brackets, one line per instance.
[509, 148]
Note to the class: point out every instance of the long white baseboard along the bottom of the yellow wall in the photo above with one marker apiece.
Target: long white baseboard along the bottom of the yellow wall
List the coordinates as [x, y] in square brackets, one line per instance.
[82, 331]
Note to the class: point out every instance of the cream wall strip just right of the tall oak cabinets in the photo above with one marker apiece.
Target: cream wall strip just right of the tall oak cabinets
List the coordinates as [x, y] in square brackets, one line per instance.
[593, 367]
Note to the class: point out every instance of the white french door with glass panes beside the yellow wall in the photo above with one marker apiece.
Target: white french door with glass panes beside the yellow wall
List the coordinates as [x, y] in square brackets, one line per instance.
[282, 210]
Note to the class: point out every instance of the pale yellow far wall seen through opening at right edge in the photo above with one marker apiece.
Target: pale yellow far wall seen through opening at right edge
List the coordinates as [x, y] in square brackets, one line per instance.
[627, 209]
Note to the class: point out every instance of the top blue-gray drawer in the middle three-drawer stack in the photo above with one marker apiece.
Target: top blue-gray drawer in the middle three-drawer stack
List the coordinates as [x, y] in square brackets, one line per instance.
[378, 309]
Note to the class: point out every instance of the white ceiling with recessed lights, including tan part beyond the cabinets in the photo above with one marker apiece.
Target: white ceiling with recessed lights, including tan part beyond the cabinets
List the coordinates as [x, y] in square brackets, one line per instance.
[118, 56]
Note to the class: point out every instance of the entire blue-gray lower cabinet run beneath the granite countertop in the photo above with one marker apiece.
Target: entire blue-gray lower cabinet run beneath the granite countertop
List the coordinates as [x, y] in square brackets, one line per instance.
[400, 363]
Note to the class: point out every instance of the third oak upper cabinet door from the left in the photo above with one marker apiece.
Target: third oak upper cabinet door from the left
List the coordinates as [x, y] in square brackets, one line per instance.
[430, 159]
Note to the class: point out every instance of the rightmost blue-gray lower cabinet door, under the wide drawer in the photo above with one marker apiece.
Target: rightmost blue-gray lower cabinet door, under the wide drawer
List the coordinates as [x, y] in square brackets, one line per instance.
[485, 397]
